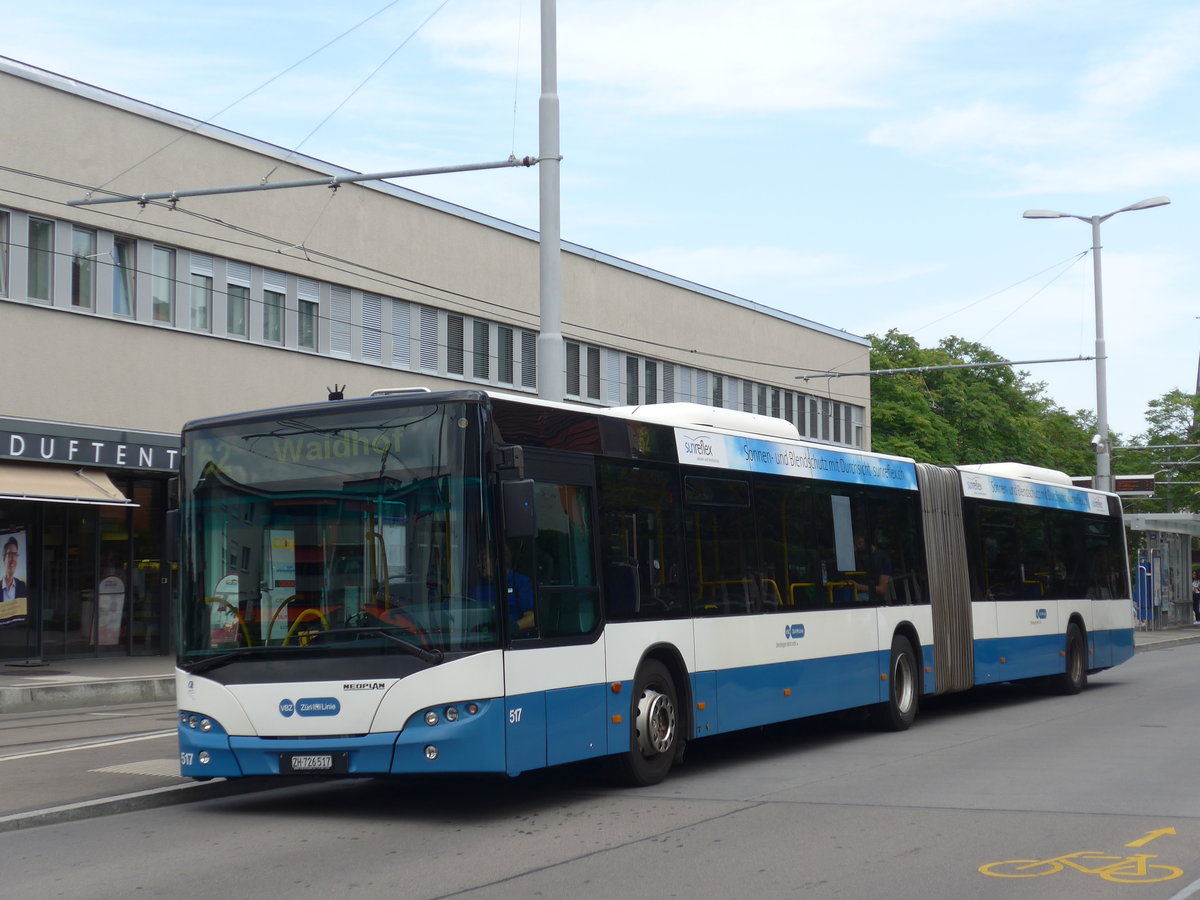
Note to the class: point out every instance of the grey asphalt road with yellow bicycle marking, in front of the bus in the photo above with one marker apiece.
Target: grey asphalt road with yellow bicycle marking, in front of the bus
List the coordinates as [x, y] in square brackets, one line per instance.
[1096, 791]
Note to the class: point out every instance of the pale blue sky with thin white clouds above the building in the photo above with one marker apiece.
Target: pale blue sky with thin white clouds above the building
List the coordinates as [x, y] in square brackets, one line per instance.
[862, 164]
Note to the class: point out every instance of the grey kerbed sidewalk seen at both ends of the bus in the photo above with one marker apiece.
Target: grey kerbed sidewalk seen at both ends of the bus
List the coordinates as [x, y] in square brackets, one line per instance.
[70, 685]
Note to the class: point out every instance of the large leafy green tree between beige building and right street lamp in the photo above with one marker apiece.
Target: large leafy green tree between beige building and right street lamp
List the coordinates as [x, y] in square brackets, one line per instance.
[969, 416]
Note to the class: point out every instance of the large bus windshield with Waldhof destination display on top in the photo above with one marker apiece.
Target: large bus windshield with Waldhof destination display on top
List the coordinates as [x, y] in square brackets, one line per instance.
[340, 531]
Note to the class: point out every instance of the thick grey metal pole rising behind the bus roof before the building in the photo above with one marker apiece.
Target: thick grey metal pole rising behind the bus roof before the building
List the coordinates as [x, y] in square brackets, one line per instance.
[551, 351]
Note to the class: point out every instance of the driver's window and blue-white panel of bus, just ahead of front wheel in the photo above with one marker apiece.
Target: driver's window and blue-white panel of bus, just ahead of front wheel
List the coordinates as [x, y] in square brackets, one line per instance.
[555, 668]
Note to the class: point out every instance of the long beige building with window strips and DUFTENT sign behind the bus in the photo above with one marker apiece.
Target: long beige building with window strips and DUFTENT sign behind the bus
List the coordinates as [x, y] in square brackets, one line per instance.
[122, 322]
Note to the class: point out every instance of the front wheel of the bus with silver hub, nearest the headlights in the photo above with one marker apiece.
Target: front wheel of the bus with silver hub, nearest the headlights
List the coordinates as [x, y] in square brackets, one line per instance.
[655, 739]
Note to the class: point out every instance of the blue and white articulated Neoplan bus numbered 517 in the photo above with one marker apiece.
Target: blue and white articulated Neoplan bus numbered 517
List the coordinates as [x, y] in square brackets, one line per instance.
[452, 583]
